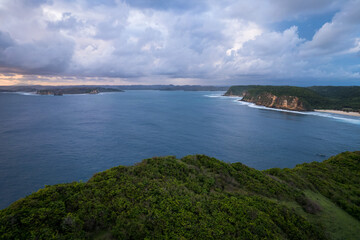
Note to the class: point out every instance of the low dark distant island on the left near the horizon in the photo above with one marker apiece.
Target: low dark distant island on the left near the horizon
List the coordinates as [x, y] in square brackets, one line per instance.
[75, 90]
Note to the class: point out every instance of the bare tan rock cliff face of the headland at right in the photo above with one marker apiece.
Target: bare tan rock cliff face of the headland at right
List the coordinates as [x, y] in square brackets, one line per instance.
[282, 102]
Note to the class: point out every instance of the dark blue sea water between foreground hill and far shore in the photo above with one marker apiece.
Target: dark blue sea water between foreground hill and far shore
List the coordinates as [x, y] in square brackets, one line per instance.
[47, 140]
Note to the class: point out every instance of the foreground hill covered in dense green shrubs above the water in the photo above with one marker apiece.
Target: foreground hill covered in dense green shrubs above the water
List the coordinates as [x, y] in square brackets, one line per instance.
[196, 197]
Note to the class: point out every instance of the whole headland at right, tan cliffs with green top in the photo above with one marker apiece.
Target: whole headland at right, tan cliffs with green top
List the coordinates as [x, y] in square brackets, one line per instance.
[325, 98]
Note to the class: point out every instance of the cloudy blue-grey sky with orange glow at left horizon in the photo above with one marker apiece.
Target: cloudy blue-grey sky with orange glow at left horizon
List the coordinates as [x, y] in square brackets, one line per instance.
[207, 42]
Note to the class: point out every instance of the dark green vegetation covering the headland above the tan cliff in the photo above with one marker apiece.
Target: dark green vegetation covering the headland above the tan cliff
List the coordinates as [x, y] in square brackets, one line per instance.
[317, 97]
